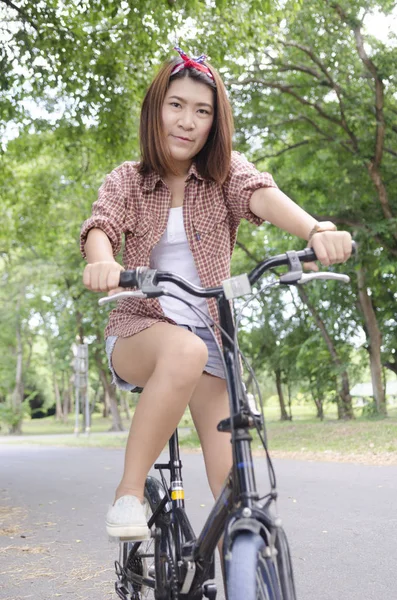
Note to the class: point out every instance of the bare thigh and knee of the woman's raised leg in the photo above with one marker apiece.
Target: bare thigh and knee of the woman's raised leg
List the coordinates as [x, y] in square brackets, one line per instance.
[177, 351]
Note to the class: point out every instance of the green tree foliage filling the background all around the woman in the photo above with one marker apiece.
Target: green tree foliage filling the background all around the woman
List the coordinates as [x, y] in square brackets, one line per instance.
[72, 79]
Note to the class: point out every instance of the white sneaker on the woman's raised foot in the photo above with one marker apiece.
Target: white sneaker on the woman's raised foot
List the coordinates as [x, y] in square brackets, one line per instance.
[126, 519]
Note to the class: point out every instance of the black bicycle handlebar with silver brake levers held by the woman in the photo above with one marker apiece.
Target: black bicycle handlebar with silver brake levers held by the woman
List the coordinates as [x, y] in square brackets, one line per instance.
[147, 280]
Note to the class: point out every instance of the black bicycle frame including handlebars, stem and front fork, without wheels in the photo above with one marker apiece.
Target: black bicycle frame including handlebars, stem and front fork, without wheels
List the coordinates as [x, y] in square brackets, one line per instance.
[237, 507]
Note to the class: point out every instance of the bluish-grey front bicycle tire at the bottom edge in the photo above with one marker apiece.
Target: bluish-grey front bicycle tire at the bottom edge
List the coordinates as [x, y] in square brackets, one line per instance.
[250, 574]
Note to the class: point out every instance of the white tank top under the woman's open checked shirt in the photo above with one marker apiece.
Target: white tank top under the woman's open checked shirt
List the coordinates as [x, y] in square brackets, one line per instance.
[172, 253]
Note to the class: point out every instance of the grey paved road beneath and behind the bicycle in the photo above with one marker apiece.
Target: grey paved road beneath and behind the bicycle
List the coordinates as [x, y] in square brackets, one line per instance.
[341, 520]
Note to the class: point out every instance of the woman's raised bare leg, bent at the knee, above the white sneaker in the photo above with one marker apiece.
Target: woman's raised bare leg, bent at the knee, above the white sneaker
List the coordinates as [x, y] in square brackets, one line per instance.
[168, 362]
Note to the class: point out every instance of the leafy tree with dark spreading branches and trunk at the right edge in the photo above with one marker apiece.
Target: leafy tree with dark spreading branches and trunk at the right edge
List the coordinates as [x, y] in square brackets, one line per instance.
[319, 109]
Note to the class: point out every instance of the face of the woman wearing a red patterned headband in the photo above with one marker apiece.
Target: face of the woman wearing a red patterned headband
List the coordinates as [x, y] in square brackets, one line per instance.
[187, 114]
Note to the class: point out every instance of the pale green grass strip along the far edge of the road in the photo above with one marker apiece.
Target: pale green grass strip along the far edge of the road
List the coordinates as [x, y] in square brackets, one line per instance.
[305, 436]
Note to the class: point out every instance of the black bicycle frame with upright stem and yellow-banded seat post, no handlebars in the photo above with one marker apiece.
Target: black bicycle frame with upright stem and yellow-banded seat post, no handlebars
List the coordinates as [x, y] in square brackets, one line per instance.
[239, 487]
